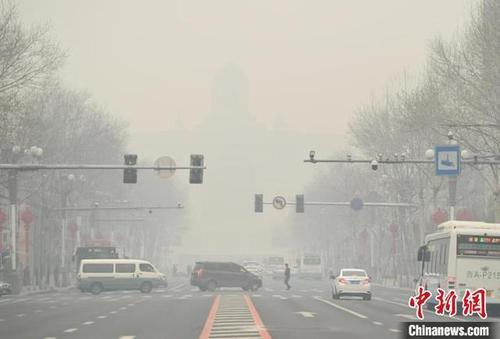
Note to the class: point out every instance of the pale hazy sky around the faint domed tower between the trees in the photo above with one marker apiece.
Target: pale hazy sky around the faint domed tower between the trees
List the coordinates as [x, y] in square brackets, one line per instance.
[152, 62]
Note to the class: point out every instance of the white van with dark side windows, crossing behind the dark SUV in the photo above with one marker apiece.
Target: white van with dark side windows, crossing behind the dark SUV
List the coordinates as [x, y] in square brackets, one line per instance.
[97, 275]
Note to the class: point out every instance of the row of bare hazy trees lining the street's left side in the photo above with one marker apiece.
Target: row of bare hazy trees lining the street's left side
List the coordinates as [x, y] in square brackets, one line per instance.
[36, 108]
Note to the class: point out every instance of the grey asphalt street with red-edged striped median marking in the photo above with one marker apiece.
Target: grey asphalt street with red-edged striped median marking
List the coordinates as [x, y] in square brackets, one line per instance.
[181, 311]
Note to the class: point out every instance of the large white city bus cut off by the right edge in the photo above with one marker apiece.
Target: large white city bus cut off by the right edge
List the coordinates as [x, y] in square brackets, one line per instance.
[462, 255]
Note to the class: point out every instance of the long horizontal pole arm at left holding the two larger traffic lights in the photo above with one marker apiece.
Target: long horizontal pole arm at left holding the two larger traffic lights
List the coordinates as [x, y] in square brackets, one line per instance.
[36, 167]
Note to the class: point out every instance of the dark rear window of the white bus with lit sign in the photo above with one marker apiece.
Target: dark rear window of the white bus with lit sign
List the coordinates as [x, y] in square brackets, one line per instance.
[478, 245]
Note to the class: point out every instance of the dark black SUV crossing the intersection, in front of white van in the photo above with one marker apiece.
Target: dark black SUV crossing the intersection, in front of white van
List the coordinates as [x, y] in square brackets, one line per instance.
[210, 275]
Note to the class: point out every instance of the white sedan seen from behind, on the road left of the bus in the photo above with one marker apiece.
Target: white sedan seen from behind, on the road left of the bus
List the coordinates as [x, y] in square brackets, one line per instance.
[351, 282]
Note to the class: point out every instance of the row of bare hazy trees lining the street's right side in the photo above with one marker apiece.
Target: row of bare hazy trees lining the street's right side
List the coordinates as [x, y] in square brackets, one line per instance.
[458, 91]
